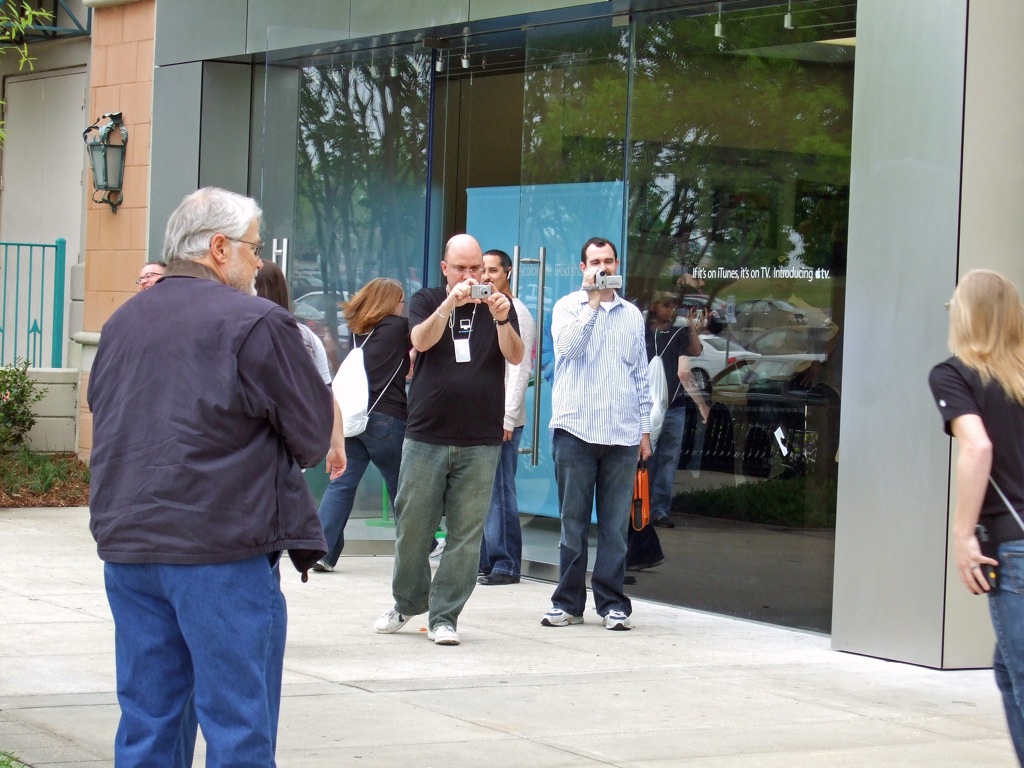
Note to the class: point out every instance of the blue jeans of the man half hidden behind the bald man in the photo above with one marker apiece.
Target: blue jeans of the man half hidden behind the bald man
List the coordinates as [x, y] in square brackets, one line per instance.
[501, 550]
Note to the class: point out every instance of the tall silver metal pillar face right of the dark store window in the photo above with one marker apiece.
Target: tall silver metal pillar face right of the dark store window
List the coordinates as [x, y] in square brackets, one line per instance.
[891, 538]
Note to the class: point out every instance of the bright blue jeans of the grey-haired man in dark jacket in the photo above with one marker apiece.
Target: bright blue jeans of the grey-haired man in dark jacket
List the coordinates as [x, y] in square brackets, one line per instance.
[212, 636]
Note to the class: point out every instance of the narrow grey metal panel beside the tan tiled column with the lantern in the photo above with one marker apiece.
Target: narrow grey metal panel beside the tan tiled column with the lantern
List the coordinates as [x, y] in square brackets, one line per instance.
[176, 150]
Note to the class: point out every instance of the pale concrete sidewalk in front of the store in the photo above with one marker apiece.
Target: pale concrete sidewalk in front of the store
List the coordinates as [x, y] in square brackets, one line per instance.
[684, 689]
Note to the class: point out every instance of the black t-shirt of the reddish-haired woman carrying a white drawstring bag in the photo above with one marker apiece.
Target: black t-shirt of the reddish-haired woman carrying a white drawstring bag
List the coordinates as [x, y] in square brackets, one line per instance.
[387, 353]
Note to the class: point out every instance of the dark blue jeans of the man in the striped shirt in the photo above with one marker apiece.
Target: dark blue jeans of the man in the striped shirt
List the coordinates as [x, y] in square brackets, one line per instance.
[582, 468]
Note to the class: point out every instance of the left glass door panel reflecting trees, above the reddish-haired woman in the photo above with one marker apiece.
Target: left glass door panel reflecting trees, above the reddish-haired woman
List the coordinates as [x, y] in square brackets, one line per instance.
[340, 166]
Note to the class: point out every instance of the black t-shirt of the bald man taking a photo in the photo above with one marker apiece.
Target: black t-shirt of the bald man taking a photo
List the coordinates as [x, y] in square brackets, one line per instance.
[458, 404]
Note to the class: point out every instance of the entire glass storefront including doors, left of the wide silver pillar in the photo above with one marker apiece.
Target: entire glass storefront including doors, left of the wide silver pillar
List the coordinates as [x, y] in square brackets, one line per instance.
[712, 143]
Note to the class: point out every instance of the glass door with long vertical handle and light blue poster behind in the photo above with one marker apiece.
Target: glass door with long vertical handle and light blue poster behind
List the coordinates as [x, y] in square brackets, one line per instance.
[570, 187]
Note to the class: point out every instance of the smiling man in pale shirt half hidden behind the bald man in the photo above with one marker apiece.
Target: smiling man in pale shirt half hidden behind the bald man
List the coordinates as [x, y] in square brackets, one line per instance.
[501, 549]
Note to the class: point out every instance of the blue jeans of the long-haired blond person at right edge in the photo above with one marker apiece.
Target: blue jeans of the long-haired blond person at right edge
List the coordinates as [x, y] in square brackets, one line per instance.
[1007, 608]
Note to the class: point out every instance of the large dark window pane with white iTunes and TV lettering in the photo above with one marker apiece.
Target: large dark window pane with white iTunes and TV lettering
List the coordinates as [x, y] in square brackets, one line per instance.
[739, 184]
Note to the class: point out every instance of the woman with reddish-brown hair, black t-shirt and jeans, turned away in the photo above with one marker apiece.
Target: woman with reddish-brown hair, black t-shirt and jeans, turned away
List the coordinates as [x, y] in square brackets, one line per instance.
[375, 318]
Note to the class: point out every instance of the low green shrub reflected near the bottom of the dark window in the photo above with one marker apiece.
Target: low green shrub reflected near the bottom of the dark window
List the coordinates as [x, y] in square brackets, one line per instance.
[793, 503]
